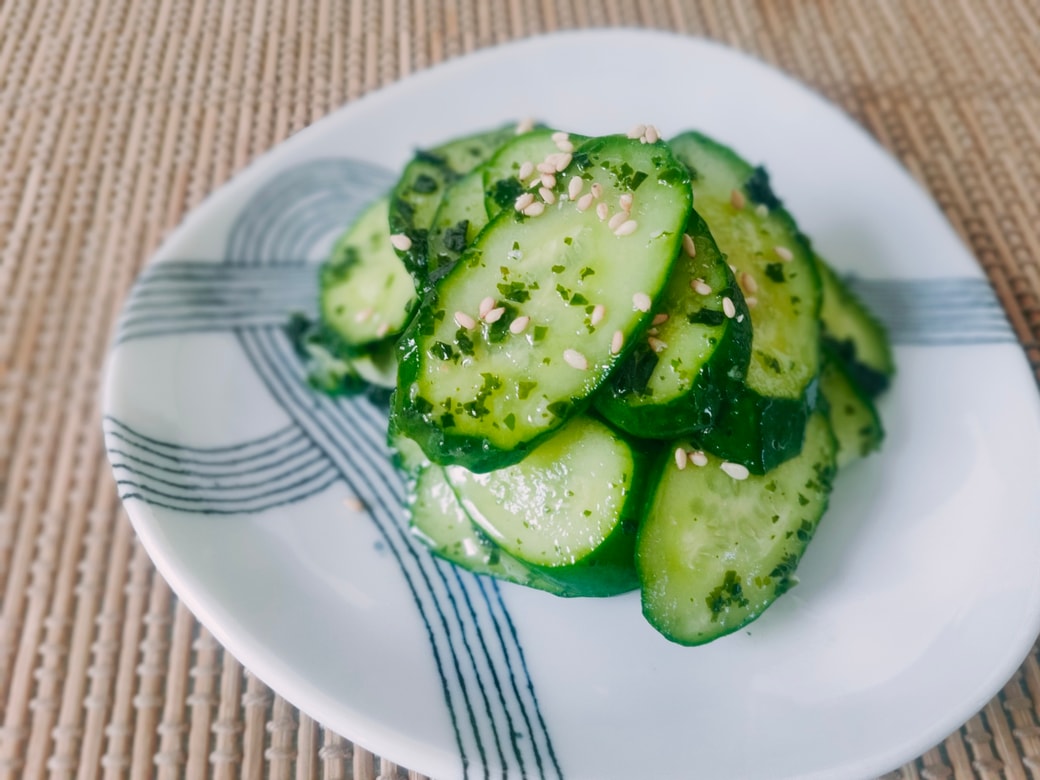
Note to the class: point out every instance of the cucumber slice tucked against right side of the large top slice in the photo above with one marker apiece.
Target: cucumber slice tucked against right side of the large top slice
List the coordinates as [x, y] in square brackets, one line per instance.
[673, 383]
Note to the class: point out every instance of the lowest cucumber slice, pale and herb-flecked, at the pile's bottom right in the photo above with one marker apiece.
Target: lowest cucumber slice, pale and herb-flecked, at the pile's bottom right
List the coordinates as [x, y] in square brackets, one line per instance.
[715, 552]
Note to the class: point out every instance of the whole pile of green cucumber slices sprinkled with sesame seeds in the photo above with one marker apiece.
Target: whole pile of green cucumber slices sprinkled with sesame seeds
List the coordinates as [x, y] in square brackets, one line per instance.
[616, 363]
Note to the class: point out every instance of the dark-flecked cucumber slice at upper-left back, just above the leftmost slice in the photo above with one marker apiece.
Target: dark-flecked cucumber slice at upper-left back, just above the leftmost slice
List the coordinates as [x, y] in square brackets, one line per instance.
[419, 193]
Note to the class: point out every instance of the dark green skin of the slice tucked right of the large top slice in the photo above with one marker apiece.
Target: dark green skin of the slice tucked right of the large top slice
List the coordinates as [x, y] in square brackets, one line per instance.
[697, 410]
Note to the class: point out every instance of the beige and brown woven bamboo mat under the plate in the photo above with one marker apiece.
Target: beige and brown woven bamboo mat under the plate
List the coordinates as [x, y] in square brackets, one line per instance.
[120, 116]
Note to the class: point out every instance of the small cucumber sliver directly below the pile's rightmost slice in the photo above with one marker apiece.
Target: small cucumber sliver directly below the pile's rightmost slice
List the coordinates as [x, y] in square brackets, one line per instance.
[854, 419]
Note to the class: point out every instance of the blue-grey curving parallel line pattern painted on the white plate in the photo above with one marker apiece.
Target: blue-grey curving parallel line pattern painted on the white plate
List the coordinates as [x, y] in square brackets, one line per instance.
[267, 275]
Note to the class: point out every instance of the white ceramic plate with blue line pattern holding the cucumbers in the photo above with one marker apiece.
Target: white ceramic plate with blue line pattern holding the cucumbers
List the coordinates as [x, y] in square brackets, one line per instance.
[919, 599]
